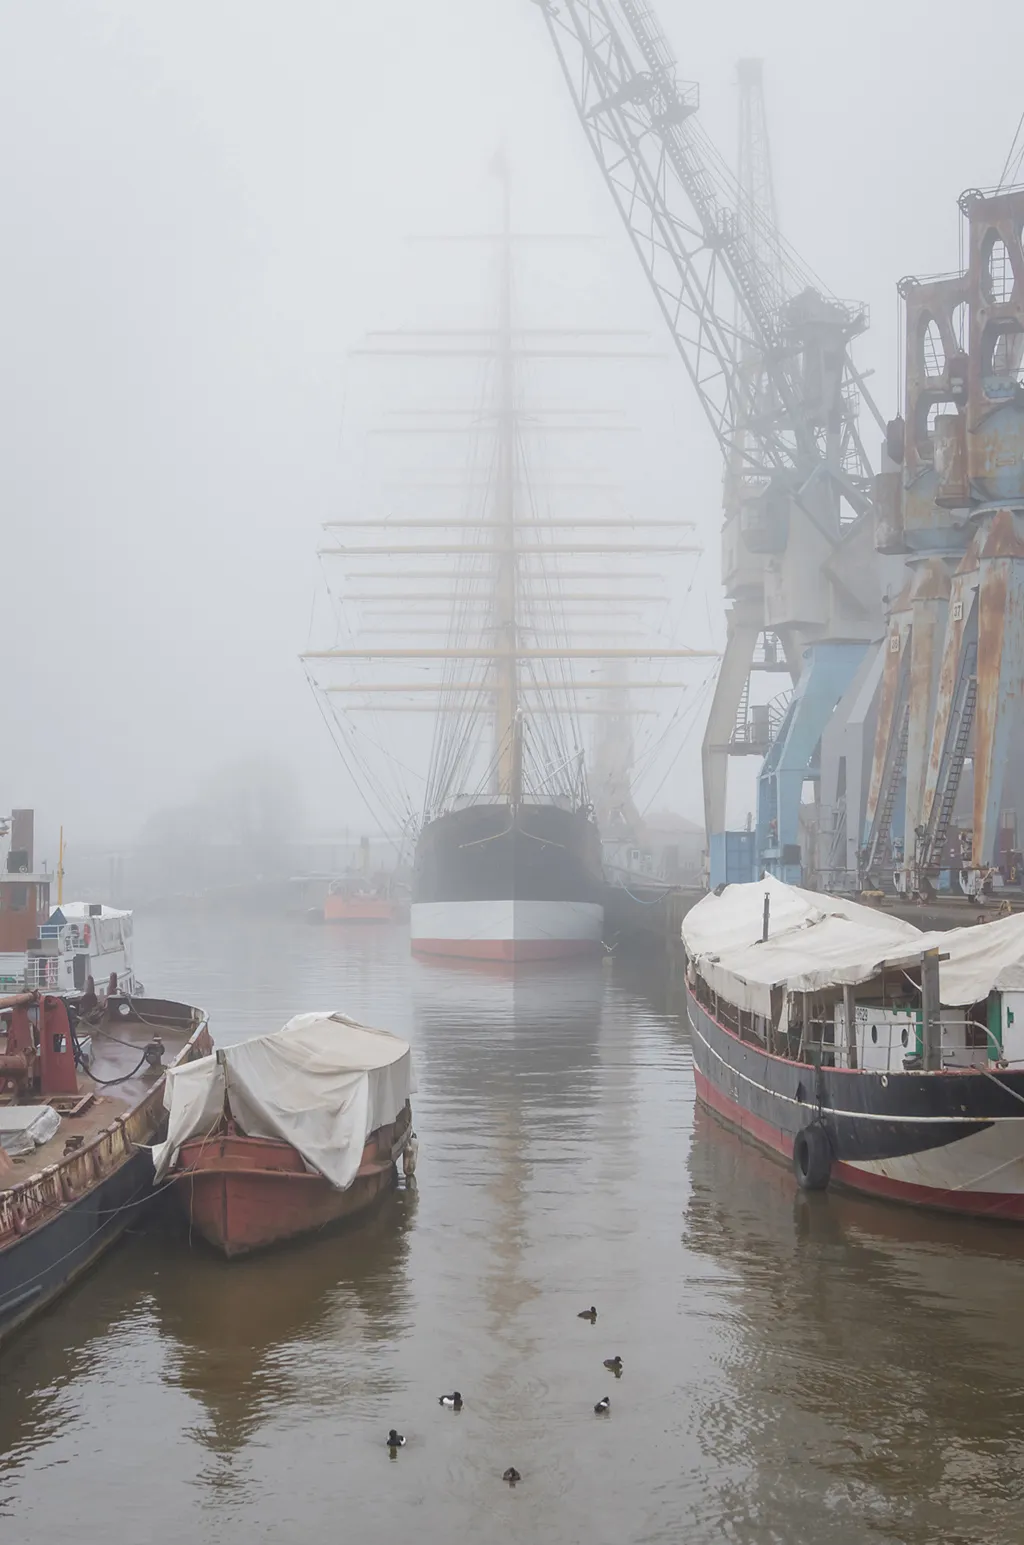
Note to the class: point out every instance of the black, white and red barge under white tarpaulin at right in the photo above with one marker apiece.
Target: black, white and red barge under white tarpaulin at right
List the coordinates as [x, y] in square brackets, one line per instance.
[864, 1051]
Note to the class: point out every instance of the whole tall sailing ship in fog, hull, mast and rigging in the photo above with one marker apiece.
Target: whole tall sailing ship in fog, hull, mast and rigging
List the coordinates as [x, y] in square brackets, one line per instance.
[507, 852]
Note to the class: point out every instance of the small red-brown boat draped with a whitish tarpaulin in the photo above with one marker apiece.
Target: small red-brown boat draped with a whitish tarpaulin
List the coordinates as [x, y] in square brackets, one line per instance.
[287, 1133]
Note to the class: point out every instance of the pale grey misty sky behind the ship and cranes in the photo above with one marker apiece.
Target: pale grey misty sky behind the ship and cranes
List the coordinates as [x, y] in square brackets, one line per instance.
[208, 205]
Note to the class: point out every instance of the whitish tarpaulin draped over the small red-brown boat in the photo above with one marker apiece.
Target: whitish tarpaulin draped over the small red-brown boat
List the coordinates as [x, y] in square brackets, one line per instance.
[324, 1085]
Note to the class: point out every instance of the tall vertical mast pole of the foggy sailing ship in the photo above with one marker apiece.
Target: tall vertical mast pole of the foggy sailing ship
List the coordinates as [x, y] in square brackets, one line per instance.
[507, 724]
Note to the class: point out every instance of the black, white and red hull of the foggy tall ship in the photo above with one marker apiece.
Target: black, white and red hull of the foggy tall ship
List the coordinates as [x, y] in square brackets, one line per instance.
[493, 883]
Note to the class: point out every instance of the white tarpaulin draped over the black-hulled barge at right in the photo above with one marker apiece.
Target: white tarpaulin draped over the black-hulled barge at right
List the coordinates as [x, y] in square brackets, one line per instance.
[819, 942]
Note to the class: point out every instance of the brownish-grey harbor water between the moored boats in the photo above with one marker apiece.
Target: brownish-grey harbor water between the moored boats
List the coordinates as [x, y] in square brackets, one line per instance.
[798, 1370]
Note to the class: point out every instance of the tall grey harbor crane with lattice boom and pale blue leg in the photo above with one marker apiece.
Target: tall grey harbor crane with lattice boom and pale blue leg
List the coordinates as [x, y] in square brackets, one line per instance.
[768, 353]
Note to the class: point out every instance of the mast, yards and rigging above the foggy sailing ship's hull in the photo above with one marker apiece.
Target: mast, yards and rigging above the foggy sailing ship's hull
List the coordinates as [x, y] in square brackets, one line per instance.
[484, 603]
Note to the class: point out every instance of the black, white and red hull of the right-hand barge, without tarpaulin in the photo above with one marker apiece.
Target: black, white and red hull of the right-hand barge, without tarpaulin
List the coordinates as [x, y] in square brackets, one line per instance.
[951, 1139]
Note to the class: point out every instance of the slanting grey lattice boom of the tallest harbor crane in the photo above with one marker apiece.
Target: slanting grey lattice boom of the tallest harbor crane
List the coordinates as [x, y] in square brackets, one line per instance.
[721, 299]
